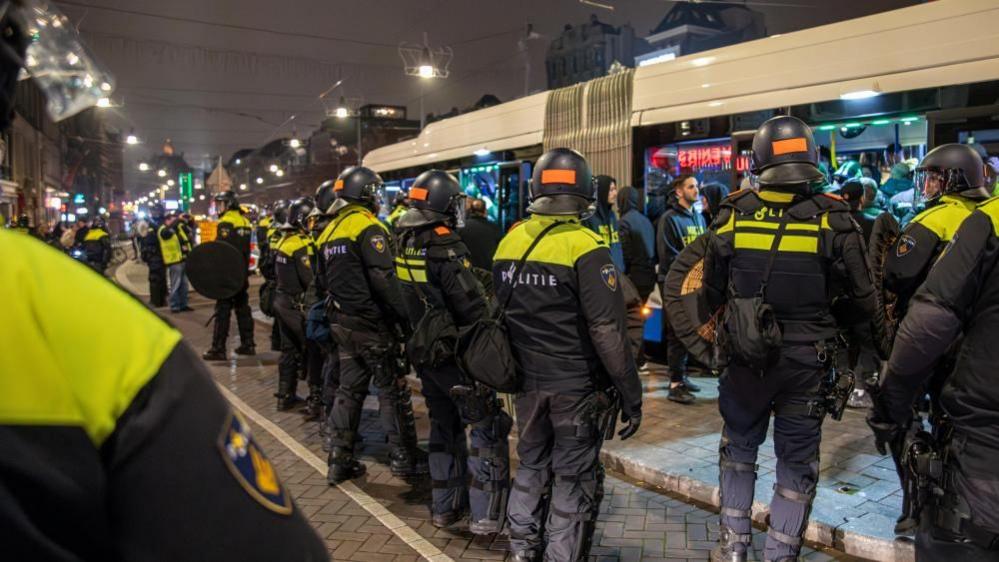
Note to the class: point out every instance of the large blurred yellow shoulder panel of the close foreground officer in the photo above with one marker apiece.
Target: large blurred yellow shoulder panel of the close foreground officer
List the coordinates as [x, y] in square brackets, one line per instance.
[78, 376]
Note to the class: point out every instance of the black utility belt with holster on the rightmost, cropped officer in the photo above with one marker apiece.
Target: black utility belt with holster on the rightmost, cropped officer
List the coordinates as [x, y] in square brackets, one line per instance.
[929, 467]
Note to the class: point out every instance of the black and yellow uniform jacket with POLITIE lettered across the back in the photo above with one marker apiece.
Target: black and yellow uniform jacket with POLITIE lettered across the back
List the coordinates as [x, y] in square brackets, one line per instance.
[566, 316]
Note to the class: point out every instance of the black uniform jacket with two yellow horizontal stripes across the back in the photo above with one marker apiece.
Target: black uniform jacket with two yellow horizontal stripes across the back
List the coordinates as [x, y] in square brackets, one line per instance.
[821, 257]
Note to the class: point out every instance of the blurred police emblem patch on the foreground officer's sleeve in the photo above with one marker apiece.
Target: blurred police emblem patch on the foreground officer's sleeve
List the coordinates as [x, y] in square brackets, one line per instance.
[249, 465]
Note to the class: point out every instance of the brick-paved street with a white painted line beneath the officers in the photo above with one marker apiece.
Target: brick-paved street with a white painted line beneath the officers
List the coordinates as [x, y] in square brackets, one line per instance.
[379, 517]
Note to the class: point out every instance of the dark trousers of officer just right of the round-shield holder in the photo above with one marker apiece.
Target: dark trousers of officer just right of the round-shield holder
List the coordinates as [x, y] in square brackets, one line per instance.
[298, 353]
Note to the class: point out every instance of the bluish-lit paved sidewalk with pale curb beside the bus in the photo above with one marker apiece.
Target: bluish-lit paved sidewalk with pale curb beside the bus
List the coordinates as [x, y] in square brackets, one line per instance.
[858, 497]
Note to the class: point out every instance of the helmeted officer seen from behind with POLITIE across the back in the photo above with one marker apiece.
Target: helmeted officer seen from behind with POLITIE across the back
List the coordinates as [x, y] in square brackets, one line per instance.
[566, 320]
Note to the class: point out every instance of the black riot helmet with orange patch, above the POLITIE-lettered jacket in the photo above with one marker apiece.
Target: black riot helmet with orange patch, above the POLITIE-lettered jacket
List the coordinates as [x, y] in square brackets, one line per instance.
[562, 184]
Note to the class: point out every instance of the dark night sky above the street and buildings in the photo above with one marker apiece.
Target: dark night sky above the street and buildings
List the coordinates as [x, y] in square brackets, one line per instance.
[213, 89]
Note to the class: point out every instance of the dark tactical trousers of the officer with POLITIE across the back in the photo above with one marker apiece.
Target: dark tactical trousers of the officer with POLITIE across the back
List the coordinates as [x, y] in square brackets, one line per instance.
[559, 483]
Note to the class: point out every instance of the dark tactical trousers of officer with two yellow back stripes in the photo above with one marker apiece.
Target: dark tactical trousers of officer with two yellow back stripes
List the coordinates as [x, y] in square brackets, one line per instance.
[746, 401]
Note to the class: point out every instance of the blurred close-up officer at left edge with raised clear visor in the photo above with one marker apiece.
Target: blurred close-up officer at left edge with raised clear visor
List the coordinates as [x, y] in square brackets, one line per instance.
[113, 421]
